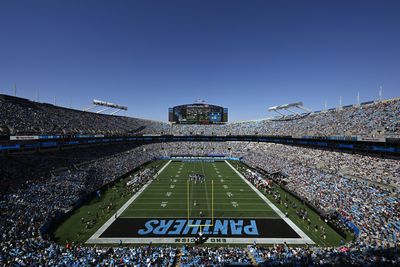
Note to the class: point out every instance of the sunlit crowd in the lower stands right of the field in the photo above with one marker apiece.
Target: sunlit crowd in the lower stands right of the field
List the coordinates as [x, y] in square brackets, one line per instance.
[374, 209]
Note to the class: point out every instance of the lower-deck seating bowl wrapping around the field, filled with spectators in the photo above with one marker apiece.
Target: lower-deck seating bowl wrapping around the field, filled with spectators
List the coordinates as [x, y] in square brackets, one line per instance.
[370, 207]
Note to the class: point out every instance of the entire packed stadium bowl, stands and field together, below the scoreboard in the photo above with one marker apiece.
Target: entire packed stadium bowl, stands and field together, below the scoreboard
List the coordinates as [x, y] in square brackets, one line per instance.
[236, 190]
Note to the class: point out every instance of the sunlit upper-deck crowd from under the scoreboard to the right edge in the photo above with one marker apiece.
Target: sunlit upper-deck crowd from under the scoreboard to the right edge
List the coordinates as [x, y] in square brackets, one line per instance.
[374, 119]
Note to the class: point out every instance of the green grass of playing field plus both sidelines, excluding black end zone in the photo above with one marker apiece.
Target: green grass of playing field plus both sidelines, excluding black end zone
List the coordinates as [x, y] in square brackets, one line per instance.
[223, 194]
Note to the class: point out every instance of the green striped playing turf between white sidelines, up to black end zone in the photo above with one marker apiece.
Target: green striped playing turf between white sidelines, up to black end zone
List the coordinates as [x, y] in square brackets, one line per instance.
[223, 194]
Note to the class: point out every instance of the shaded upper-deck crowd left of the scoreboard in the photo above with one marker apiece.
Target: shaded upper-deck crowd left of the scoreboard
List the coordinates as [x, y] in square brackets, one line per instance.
[20, 116]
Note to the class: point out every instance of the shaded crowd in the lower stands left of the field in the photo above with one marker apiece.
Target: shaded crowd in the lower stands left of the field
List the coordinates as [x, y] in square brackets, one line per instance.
[33, 203]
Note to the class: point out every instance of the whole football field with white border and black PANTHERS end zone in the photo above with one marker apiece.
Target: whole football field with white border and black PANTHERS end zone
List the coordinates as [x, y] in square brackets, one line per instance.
[189, 197]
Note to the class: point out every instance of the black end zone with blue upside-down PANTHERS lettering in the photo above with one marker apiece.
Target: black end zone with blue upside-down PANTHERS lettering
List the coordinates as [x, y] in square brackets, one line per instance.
[187, 228]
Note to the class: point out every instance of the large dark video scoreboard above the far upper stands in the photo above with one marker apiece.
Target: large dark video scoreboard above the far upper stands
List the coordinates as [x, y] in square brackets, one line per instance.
[198, 114]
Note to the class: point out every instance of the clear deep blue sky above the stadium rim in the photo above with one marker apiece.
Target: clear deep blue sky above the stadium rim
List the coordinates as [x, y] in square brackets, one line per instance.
[245, 55]
